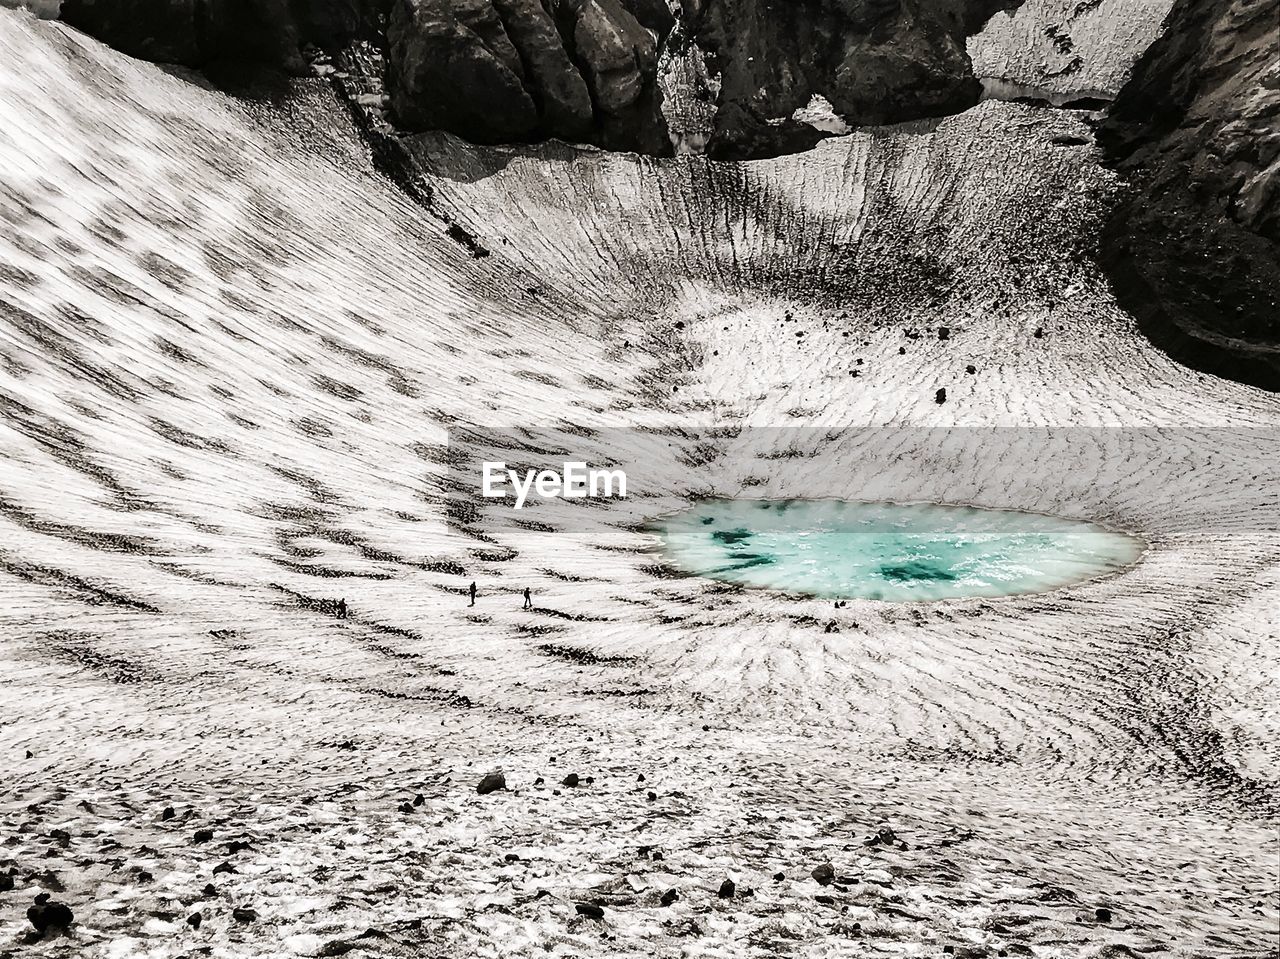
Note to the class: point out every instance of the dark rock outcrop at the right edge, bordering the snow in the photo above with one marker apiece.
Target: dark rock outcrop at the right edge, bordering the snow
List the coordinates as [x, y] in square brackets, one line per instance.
[1196, 253]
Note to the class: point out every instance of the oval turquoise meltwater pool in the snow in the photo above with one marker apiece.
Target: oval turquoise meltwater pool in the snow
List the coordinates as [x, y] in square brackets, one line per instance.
[890, 551]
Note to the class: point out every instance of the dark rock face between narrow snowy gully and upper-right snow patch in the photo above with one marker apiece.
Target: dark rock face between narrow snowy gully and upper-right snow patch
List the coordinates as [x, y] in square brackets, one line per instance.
[875, 61]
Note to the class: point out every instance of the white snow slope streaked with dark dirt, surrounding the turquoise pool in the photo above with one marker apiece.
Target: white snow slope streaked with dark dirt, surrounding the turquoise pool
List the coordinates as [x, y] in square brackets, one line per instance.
[231, 359]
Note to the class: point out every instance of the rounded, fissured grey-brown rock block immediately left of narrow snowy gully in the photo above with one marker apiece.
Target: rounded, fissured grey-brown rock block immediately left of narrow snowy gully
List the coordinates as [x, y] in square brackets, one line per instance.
[505, 71]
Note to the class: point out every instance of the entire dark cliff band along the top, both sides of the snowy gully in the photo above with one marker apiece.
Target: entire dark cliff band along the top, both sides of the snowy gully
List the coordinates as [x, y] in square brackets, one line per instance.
[592, 71]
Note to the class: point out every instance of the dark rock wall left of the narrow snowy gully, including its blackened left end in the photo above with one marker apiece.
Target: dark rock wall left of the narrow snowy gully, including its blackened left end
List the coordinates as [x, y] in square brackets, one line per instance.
[491, 71]
